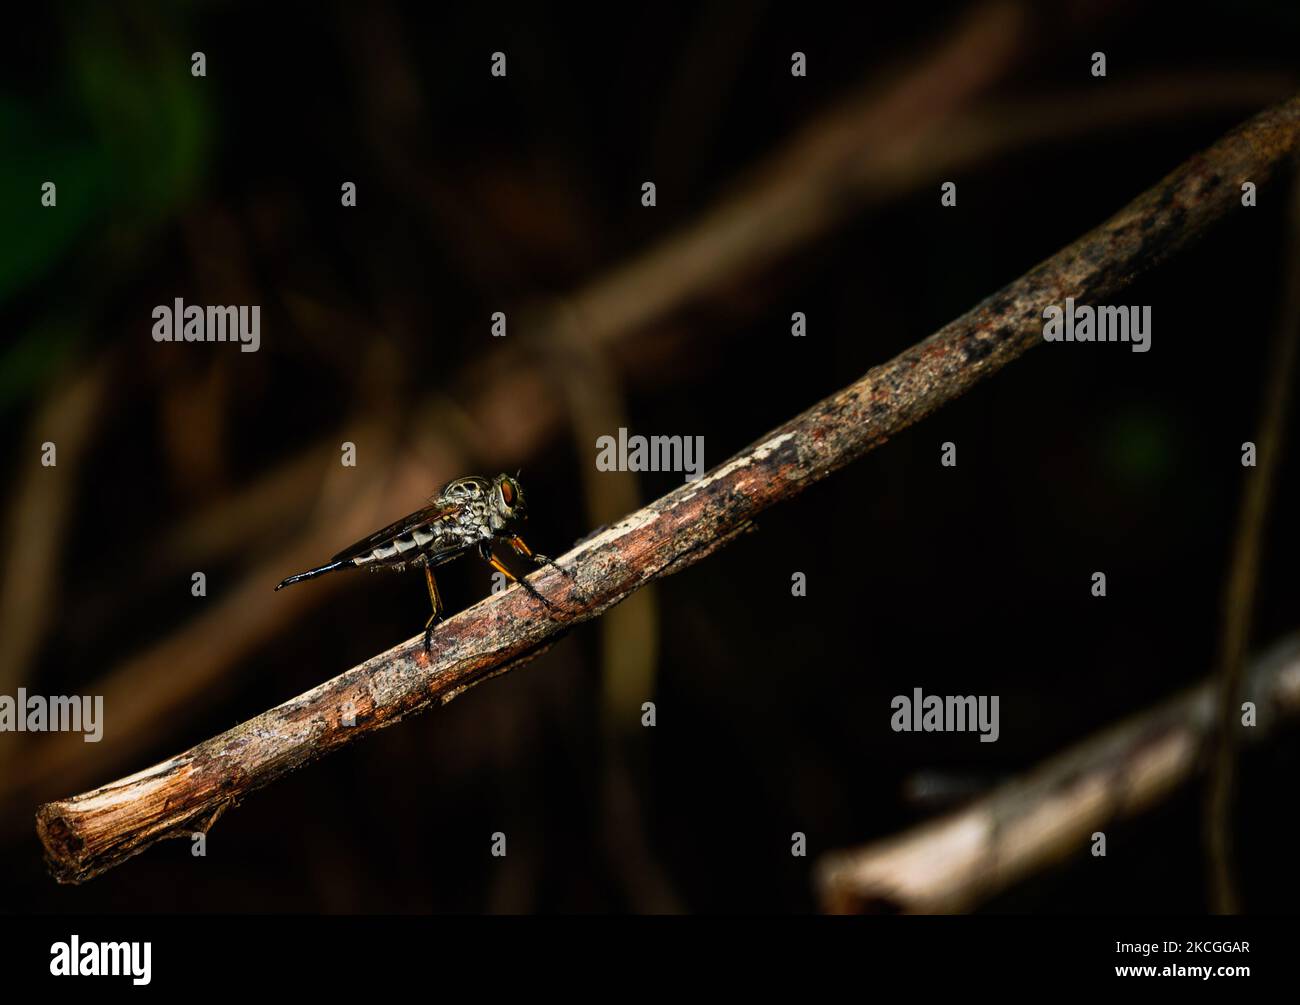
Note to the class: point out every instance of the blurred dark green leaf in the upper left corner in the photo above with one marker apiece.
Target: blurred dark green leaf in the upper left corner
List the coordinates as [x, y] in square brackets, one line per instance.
[125, 140]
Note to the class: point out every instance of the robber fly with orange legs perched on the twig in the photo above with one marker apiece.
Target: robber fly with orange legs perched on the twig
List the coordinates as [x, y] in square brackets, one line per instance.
[467, 516]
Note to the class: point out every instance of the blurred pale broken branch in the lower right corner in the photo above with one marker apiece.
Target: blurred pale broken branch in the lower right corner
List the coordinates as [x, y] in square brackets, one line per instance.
[956, 863]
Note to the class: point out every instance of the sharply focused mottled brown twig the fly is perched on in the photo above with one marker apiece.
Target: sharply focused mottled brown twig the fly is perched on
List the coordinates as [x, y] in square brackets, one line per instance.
[89, 834]
